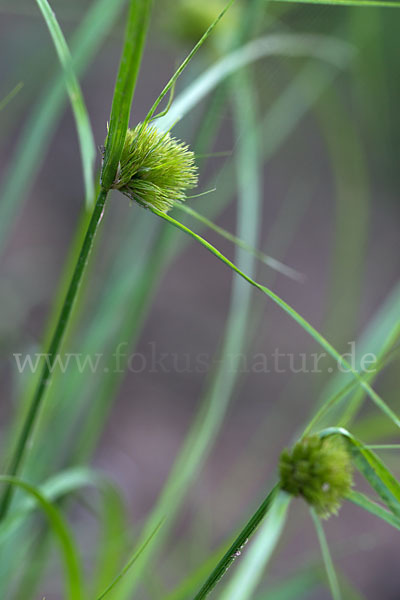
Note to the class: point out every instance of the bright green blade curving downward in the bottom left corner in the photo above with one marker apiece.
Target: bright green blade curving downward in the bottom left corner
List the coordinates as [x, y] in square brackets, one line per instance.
[74, 584]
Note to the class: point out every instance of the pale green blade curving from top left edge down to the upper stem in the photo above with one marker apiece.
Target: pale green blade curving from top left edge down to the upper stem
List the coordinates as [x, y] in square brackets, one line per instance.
[85, 134]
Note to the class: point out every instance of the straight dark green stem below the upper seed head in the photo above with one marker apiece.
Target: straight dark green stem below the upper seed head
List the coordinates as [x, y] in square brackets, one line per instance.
[33, 411]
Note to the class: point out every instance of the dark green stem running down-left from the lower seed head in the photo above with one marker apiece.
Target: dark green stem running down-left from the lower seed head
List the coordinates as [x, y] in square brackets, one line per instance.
[231, 554]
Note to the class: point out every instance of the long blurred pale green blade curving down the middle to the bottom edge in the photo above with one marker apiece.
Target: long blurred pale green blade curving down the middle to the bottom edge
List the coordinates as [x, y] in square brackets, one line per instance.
[222, 381]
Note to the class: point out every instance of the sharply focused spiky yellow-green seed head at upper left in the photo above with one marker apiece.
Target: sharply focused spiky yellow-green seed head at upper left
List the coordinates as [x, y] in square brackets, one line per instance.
[155, 169]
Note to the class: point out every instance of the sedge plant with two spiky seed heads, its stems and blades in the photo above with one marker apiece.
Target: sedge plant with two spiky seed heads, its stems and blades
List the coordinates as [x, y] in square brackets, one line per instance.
[156, 171]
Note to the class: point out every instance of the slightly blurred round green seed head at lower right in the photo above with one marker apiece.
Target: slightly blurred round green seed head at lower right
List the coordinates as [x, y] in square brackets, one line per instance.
[319, 470]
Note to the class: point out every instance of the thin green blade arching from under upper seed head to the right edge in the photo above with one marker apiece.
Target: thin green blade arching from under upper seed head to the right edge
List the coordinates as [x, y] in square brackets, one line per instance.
[291, 312]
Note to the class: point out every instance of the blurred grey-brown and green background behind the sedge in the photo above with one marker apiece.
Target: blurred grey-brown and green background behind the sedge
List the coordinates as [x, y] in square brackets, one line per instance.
[329, 156]
